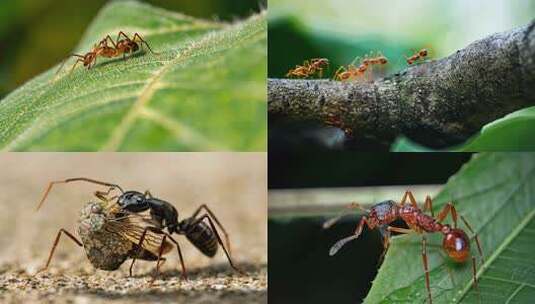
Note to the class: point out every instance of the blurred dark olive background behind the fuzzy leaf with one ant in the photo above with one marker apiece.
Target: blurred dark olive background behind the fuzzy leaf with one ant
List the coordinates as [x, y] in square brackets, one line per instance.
[36, 34]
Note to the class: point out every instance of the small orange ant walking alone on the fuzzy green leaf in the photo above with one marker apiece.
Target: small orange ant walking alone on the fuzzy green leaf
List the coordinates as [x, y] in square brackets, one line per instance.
[119, 47]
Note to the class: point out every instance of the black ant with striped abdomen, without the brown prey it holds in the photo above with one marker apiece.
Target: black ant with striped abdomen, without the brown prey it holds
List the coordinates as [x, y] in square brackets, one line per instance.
[203, 235]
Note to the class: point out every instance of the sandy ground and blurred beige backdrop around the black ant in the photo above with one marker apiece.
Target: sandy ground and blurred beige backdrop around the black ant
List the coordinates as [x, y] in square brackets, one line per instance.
[232, 184]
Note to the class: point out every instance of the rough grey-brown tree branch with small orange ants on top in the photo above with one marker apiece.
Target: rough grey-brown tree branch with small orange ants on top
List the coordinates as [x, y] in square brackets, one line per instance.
[440, 102]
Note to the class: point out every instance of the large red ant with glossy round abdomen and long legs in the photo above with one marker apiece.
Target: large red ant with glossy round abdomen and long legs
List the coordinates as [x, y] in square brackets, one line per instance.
[455, 242]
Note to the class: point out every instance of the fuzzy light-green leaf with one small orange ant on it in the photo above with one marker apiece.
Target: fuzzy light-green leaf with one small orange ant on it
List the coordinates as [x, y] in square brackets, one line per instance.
[206, 90]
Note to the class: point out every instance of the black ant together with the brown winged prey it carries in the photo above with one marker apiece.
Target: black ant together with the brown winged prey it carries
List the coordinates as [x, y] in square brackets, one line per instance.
[122, 215]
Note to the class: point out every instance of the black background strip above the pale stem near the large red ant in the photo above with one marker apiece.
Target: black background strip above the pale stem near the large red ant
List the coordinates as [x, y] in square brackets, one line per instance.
[318, 168]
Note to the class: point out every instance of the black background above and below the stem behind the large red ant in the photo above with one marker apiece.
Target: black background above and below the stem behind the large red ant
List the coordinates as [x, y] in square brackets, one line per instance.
[300, 270]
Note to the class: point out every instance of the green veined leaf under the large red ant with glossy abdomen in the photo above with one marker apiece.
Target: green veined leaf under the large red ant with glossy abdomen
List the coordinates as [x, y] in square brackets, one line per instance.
[495, 192]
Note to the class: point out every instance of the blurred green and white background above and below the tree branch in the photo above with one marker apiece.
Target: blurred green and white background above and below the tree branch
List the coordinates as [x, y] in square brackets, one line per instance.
[341, 30]
